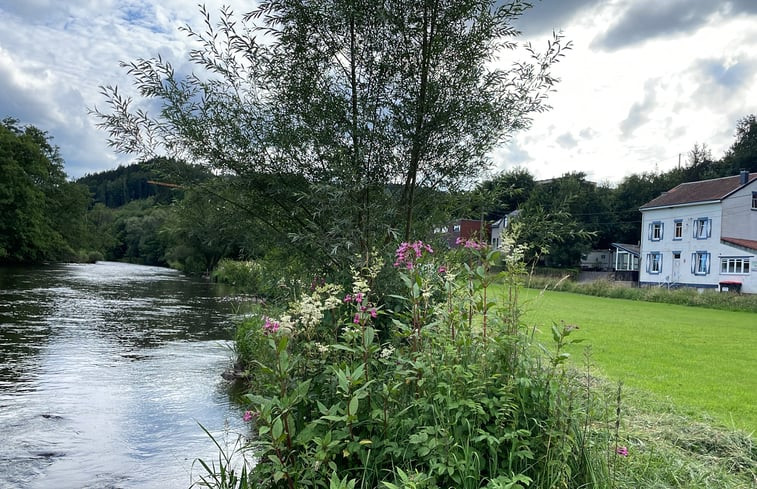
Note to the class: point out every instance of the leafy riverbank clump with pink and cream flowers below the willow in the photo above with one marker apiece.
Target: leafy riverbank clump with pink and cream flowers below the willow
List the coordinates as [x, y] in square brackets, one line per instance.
[444, 390]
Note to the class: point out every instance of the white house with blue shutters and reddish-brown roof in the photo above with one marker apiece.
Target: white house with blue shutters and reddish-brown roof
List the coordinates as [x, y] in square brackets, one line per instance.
[703, 235]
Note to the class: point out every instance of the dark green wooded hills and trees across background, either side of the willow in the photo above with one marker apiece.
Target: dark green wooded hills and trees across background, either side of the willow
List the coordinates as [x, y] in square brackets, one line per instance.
[170, 213]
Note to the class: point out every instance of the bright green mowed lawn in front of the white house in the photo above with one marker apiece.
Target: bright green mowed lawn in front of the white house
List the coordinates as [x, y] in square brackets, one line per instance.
[703, 360]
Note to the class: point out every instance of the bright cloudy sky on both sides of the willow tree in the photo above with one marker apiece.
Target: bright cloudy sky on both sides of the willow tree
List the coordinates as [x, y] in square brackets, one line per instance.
[644, 80]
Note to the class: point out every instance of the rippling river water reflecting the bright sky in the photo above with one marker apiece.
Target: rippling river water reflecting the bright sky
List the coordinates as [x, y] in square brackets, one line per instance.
[107, 371]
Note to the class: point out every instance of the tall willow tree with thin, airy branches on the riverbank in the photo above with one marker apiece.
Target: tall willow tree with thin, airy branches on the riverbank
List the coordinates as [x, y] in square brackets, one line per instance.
[378, 108]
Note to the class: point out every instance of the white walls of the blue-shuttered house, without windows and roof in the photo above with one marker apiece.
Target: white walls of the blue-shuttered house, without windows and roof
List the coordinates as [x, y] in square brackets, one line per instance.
[681, 274]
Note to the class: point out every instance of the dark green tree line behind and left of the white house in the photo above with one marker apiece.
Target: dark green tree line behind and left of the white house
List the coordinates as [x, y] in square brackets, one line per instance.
[562, 218]
